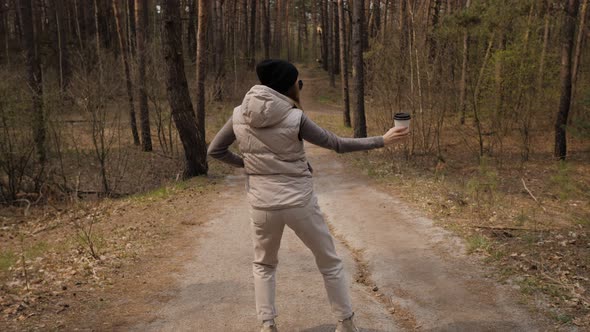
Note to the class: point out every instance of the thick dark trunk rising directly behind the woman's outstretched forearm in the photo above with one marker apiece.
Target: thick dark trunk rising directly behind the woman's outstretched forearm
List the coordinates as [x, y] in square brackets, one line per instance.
[360, 128]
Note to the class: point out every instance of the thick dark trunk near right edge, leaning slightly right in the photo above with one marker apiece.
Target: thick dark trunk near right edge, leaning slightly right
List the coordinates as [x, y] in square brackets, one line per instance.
[569, 29]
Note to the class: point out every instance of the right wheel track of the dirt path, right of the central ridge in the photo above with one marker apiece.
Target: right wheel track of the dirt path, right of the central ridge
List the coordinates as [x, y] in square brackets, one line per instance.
[419, 267]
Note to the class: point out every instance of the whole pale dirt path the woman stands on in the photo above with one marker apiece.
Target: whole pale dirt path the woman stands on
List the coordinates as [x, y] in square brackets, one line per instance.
[406, 274]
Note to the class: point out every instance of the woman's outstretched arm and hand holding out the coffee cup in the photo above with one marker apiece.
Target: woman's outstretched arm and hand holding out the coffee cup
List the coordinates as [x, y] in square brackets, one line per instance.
[319, 136]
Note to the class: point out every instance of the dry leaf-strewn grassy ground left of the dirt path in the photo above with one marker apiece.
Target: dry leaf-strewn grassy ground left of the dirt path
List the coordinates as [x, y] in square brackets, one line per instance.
[76, 252]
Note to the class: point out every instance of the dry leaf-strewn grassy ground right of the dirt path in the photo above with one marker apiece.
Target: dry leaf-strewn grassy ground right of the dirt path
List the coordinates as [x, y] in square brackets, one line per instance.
[543, 246]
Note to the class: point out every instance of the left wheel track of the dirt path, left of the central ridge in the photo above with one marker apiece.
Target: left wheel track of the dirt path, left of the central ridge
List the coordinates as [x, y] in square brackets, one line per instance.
[216, 287]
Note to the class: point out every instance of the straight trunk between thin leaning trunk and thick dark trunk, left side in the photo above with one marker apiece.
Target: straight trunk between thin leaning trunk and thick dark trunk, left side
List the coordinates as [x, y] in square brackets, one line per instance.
[144, 115]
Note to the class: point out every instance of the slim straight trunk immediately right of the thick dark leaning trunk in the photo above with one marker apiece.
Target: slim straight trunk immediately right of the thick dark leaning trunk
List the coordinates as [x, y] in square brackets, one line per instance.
[201, 74]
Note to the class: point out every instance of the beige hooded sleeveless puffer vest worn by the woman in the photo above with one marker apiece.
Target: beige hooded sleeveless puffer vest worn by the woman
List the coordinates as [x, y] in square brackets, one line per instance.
[267, 129]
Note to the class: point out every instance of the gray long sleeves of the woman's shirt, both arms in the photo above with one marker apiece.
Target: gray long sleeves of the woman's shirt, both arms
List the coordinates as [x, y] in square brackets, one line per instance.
[308, 130]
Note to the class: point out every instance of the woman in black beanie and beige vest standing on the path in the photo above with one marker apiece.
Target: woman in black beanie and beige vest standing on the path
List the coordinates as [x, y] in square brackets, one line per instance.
[270, 128]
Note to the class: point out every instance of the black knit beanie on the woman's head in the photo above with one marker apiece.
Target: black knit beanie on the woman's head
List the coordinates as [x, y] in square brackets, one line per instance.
[279, 75]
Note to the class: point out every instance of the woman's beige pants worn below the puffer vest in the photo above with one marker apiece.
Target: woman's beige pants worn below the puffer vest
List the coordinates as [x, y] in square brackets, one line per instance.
[309, 225]
